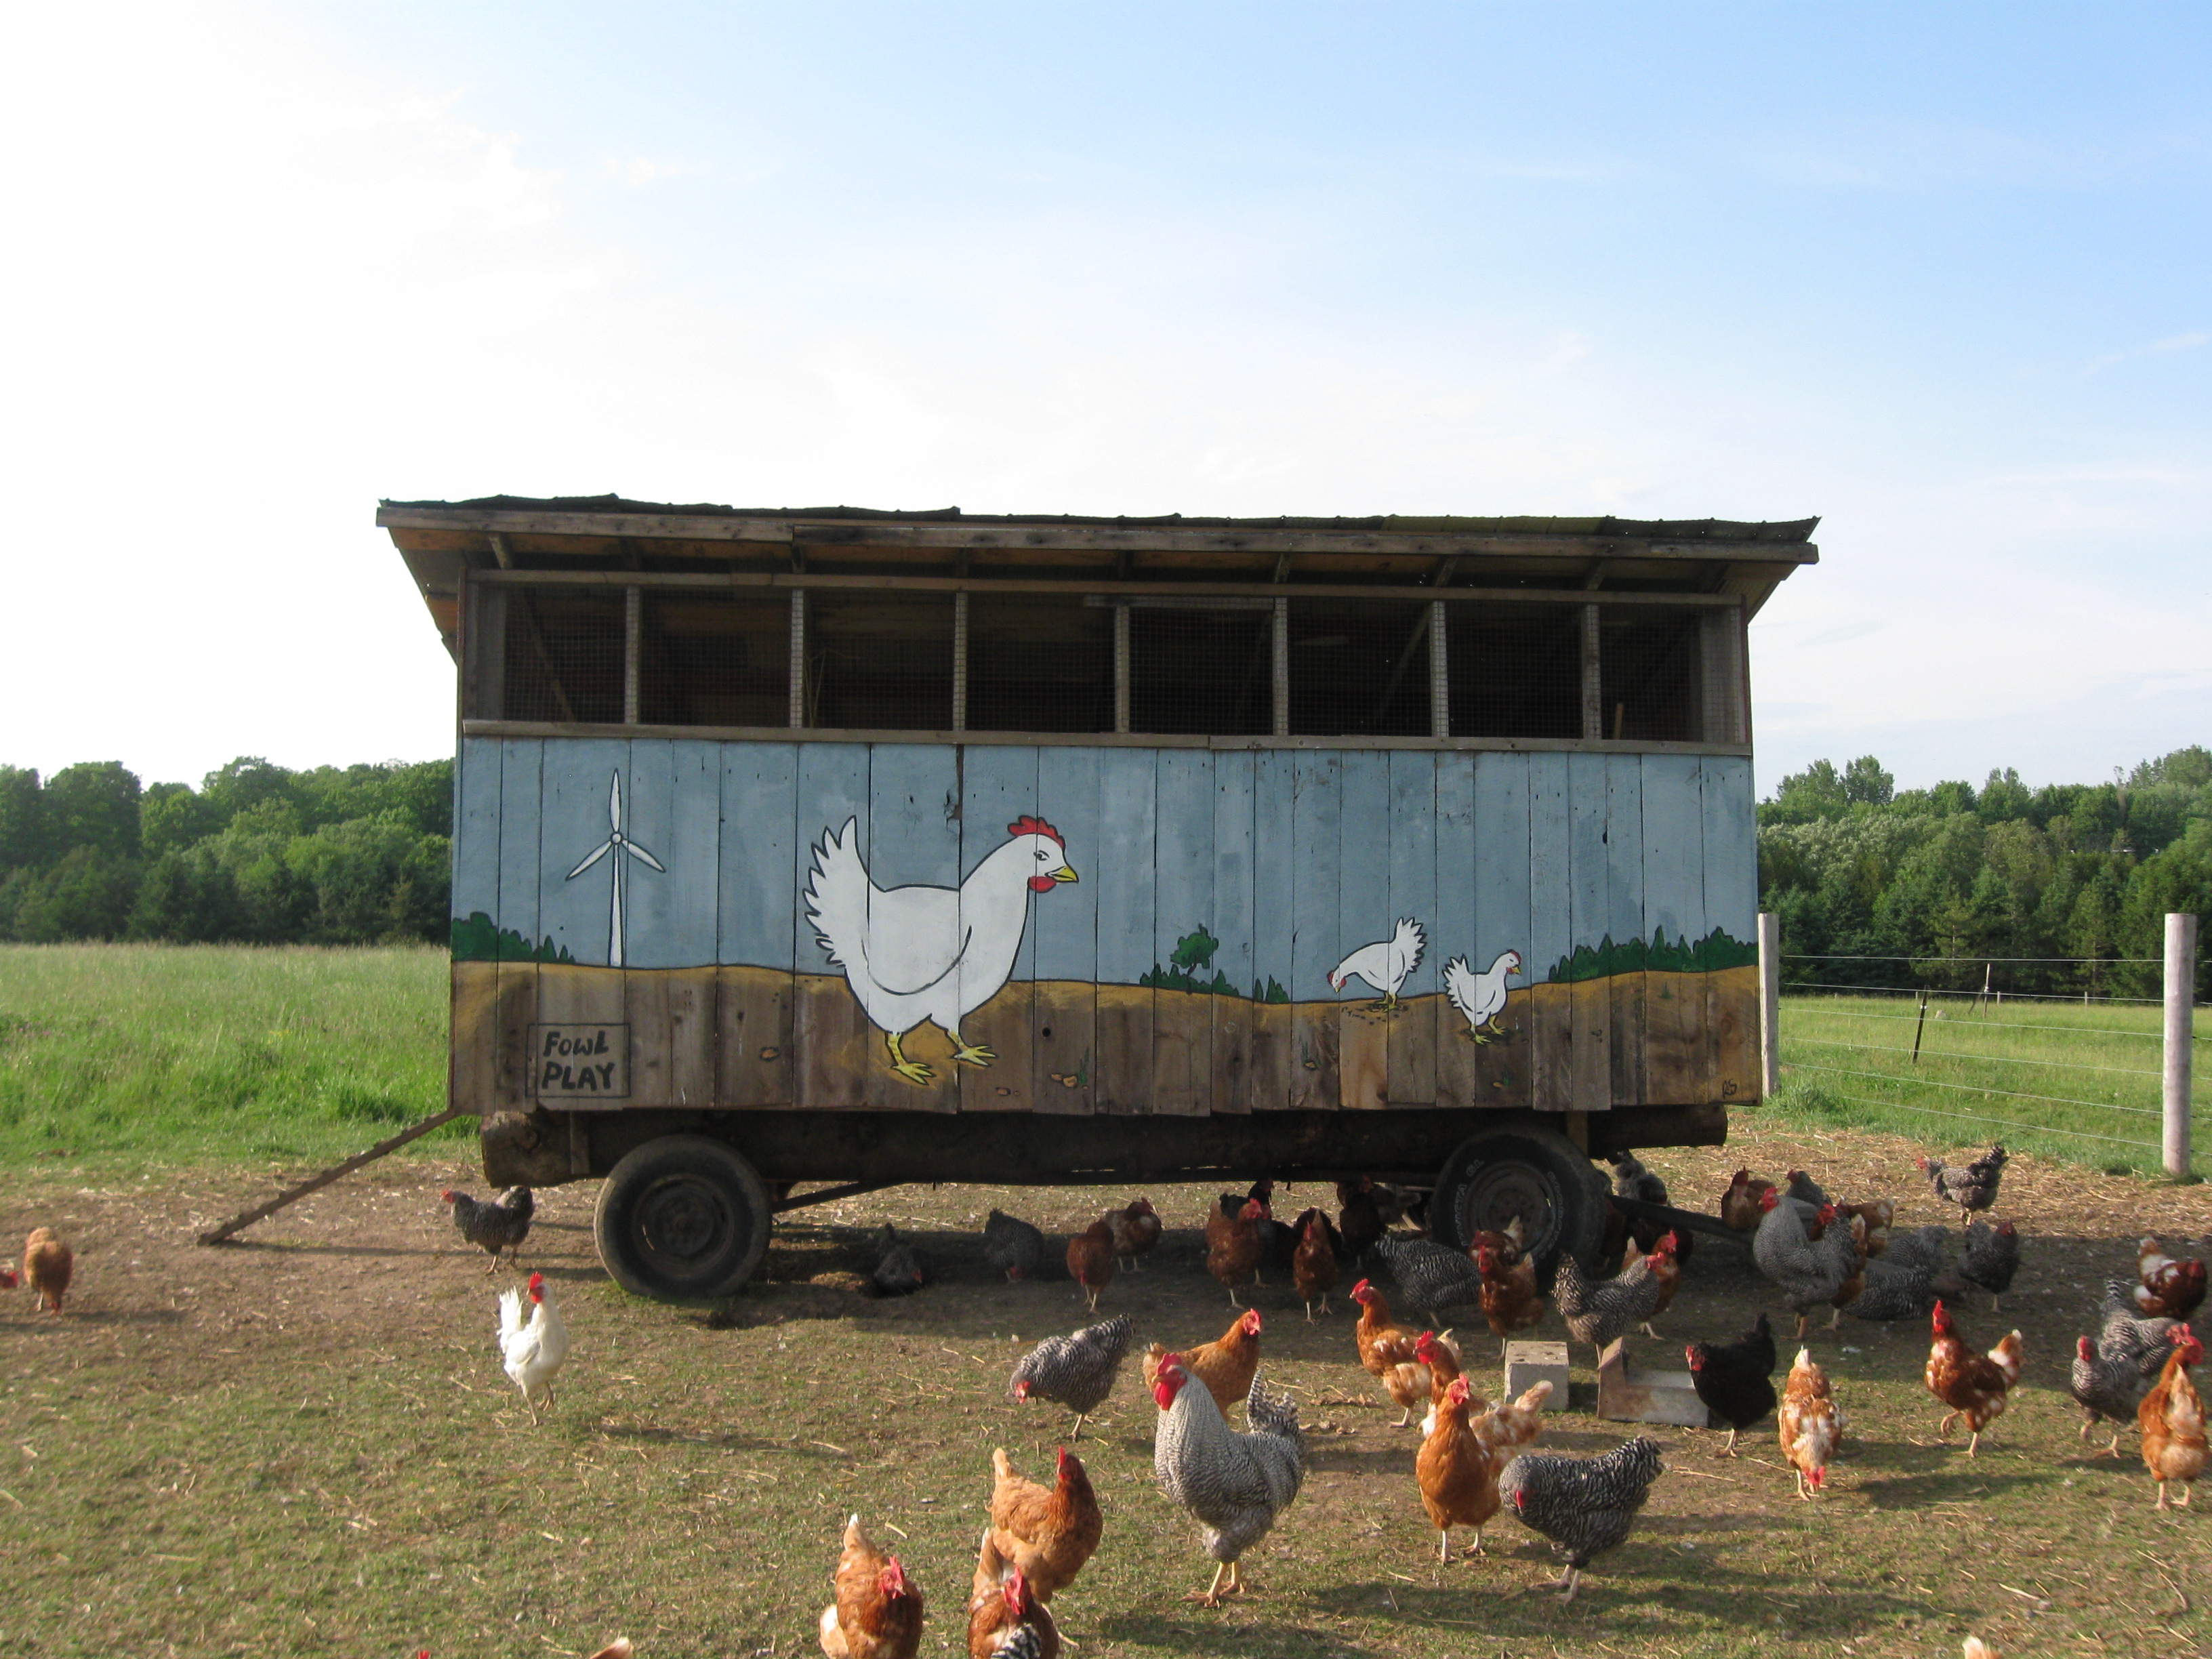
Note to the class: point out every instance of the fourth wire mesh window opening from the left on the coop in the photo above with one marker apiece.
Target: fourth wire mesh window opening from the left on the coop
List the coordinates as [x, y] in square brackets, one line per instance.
[1039, 665]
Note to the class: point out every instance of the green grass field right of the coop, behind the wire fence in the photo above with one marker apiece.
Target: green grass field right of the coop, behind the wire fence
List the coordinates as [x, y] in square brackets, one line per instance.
[2067, 1081]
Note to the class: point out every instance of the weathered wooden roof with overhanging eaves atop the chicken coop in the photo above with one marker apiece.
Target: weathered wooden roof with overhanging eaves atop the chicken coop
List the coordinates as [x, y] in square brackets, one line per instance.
[444, 541]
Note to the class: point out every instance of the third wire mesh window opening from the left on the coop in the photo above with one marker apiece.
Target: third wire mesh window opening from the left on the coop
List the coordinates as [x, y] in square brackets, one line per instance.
[881, 662]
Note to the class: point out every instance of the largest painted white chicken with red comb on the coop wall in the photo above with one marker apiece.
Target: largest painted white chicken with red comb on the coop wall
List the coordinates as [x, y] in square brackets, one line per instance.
[930, 954]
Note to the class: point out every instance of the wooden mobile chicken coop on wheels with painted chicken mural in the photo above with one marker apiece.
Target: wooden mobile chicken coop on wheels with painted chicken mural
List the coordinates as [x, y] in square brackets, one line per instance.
[868, 848]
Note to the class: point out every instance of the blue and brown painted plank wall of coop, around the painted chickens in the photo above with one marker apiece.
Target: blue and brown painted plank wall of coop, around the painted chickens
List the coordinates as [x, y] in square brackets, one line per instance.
[1284, 859]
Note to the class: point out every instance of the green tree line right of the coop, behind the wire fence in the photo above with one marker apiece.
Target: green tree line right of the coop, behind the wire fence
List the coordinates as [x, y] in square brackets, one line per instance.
[1937, 888]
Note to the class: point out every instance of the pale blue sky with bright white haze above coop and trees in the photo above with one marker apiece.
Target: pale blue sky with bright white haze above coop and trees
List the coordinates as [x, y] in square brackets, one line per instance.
[1939, 275]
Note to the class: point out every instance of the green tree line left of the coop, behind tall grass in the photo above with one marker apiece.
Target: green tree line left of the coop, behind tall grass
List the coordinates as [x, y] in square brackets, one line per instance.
[258, 855]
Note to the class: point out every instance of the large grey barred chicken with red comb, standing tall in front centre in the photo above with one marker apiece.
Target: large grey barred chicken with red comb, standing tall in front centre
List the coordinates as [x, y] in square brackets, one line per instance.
[1233, 1485]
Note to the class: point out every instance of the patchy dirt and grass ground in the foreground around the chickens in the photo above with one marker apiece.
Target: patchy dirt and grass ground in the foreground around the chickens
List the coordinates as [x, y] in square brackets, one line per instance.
[306, 1446]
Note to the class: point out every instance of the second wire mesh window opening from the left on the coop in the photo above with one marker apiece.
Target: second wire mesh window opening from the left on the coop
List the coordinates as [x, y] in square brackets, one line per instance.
[711, 660]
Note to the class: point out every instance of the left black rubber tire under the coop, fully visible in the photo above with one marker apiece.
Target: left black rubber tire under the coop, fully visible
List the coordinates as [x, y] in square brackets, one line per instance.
[682, 1220]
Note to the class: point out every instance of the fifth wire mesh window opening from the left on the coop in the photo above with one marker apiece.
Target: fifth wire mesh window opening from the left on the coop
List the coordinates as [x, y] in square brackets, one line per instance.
[1202, 669]
